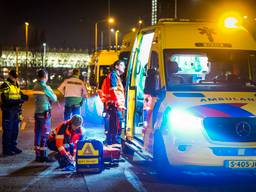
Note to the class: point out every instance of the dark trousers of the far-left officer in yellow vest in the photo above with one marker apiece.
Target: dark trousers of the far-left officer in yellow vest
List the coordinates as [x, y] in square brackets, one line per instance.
[10, 124]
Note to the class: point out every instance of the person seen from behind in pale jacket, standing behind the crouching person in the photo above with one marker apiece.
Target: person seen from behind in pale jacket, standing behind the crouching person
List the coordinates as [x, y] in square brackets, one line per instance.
[74, 92]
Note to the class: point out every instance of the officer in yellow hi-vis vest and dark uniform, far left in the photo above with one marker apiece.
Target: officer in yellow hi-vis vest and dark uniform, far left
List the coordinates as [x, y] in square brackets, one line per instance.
[11, 103]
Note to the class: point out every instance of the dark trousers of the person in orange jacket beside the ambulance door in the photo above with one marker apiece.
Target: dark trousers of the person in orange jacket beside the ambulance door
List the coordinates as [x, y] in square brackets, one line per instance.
[115, 126]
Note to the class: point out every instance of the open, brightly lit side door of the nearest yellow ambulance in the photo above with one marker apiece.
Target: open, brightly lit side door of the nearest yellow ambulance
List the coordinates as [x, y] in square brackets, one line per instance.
[135, 86]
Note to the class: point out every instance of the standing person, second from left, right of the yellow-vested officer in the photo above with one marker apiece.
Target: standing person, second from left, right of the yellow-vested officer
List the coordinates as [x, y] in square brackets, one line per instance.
[44, 96]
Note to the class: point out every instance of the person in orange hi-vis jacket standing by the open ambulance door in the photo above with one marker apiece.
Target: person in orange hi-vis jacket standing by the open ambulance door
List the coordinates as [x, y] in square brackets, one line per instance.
[116, 103]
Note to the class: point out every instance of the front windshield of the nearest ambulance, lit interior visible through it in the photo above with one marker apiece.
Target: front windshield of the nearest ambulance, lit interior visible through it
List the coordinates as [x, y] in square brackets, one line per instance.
[205, 69]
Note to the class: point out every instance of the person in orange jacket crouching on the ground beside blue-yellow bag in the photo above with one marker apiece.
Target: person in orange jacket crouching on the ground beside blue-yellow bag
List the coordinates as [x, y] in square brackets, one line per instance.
[63, 139]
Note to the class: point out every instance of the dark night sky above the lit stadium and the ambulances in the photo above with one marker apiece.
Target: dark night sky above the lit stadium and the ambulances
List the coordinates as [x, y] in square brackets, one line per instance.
[70, 23]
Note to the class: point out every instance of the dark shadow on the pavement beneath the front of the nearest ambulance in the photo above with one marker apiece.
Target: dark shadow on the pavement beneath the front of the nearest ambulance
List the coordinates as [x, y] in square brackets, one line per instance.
[145, 171]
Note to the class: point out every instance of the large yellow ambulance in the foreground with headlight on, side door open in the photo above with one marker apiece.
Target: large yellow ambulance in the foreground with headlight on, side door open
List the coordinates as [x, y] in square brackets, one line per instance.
[190, 95]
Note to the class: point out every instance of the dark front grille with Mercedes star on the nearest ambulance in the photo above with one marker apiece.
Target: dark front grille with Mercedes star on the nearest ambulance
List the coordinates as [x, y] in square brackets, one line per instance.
[228, 129]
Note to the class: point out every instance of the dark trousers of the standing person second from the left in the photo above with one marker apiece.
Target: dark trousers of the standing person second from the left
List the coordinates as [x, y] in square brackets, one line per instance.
[42, 129]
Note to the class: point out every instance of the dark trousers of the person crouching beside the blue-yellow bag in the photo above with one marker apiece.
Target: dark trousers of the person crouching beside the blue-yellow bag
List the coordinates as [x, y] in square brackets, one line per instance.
[62, 160]
